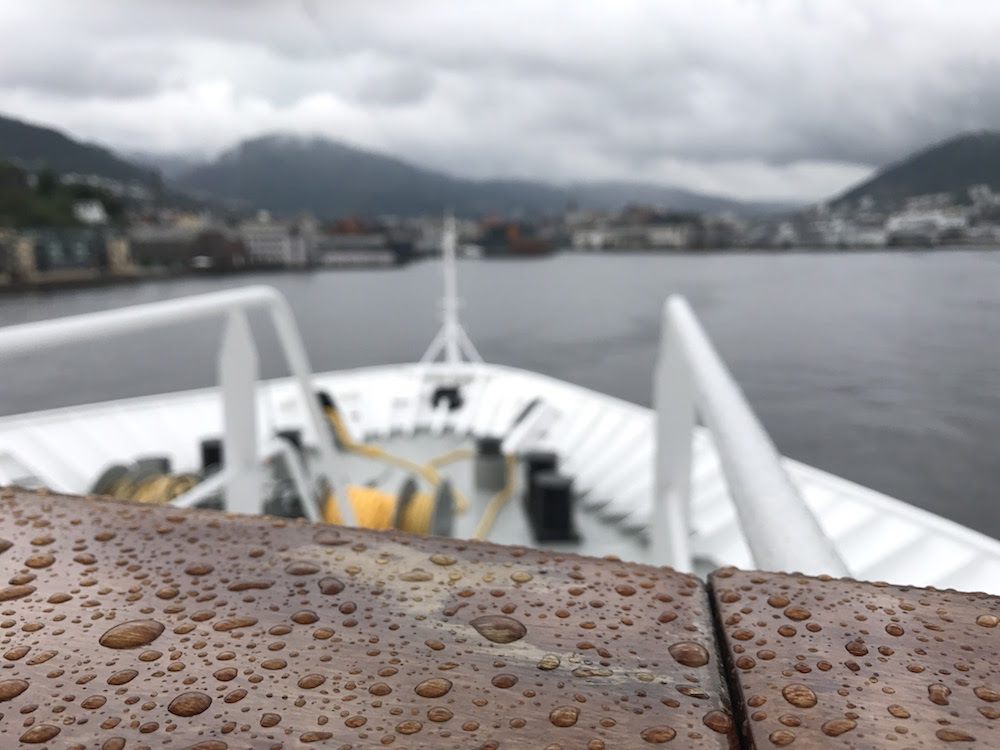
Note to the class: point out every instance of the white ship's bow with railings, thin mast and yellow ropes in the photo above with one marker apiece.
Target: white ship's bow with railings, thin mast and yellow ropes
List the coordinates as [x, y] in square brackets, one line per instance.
[454, 446]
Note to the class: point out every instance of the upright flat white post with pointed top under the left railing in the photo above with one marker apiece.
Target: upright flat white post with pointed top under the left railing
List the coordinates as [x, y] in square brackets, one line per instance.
[238, 381]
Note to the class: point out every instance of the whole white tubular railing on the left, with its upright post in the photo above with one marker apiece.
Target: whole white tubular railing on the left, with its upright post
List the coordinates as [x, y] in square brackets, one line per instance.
[237, 371]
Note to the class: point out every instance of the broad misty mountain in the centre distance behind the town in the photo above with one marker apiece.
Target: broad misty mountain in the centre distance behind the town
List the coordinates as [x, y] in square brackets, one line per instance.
[288, 174]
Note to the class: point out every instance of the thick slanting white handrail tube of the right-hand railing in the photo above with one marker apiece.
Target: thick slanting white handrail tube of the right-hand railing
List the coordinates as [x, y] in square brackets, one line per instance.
[780, 529]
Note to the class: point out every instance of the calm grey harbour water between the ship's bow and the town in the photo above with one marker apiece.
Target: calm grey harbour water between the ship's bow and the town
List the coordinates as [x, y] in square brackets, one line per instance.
[881, 367]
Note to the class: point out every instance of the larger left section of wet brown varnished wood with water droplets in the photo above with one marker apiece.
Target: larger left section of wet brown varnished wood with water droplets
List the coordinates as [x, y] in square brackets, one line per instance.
[125, 626]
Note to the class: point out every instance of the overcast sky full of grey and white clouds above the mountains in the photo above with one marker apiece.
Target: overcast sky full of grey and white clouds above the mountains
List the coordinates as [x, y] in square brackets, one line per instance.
[787, 99]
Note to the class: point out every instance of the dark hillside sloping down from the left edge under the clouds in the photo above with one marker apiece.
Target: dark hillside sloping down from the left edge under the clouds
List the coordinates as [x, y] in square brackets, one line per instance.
[36, 147]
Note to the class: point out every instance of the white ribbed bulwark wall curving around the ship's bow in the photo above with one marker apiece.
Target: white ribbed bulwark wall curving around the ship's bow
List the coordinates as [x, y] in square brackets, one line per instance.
[606, 444]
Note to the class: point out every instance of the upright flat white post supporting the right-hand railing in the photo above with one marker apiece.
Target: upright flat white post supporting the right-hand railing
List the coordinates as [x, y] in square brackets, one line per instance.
[673, 400]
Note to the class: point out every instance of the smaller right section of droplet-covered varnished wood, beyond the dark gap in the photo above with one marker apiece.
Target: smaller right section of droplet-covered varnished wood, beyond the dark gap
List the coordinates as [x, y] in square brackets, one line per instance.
[840, 664]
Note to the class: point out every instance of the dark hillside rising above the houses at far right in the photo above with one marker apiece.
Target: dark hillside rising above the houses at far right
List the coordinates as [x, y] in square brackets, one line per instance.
[951, 166]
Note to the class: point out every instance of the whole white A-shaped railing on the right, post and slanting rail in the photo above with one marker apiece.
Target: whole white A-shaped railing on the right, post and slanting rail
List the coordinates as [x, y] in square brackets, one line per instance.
[691, 381]
